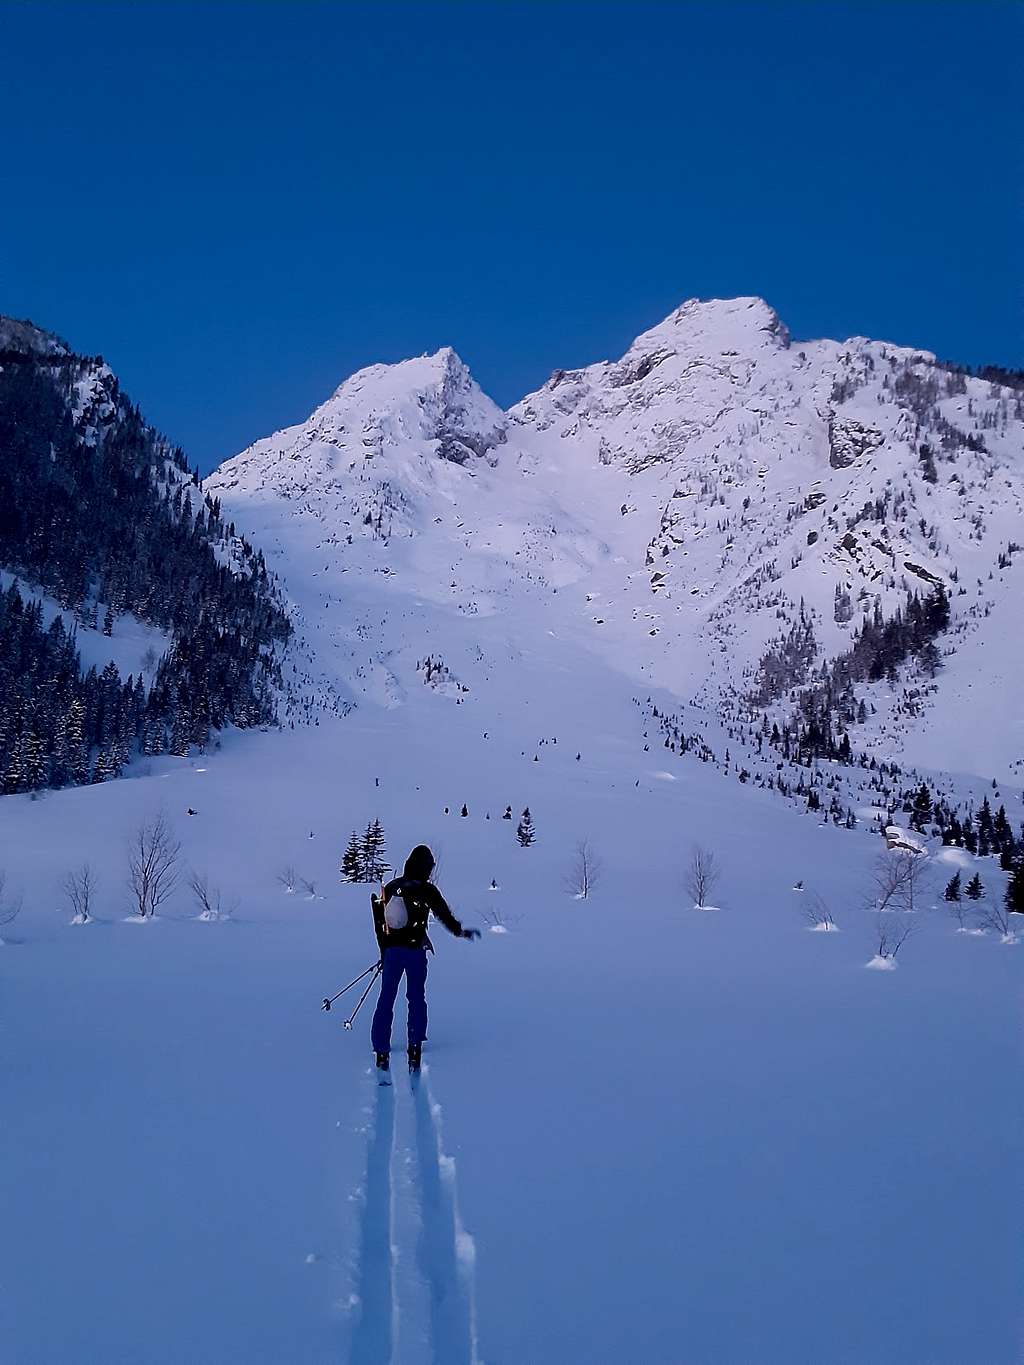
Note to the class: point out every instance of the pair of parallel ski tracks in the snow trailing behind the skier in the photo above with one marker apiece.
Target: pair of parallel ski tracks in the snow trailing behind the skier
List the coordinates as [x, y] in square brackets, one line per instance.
[427, 1308]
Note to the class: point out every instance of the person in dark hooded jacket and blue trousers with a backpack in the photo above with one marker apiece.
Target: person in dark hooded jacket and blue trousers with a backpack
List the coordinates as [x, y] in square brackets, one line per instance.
[401, 919]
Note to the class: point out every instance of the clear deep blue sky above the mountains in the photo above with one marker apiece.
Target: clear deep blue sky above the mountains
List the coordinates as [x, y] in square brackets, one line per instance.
[241, 204]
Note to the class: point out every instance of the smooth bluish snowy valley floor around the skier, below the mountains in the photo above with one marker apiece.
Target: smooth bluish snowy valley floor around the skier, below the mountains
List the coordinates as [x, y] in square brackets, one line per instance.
[645, 1134]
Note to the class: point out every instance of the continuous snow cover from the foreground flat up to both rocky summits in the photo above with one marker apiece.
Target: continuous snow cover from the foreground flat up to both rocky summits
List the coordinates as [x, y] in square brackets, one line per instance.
[677, 1135]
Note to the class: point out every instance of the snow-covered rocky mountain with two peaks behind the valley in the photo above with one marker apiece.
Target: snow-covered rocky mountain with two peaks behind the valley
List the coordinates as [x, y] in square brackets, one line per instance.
[675, 514]
